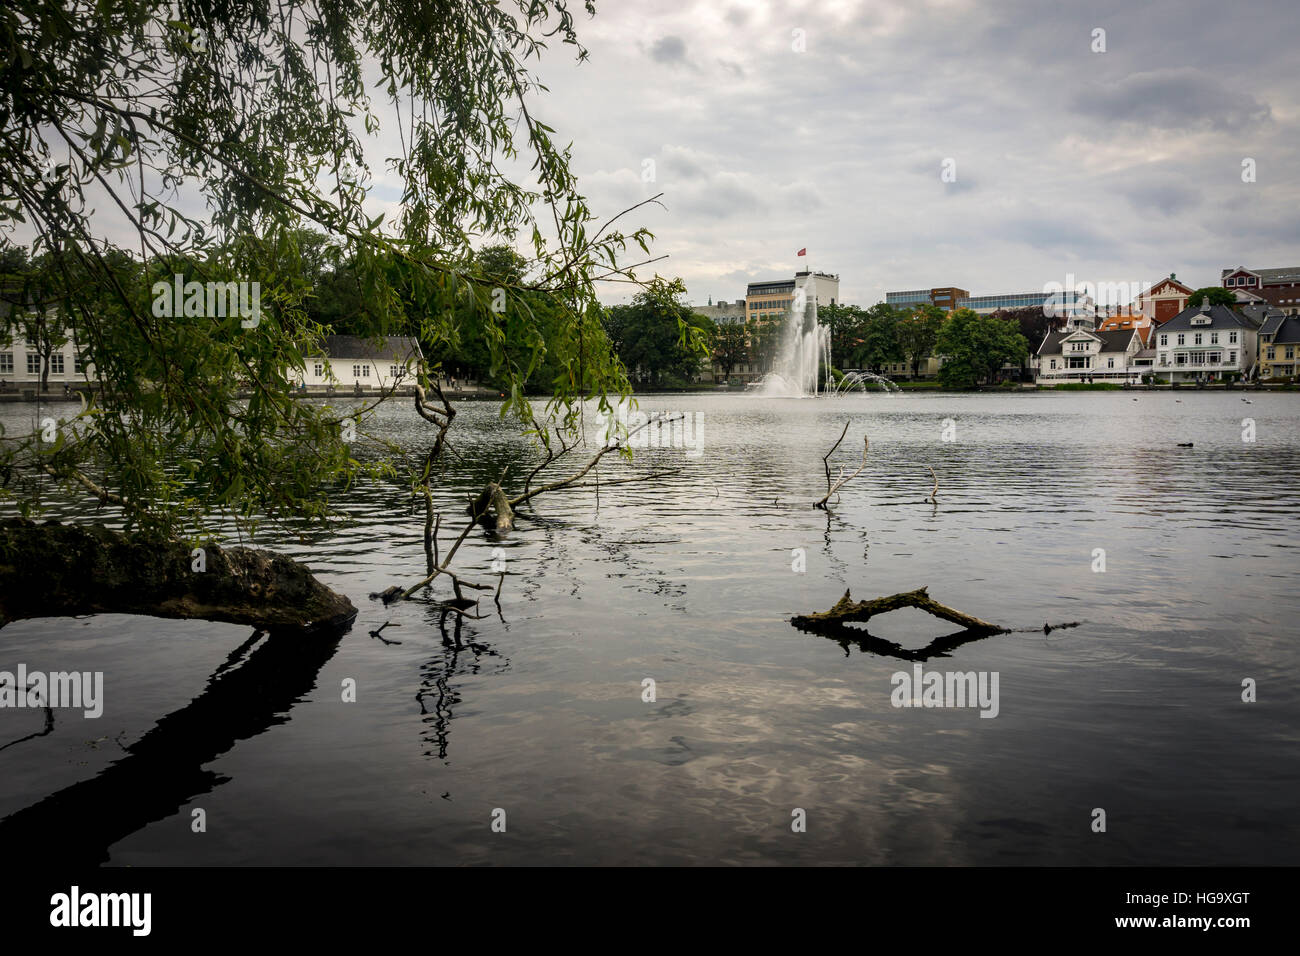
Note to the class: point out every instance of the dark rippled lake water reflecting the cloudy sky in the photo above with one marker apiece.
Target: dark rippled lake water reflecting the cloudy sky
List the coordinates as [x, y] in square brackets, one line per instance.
[690, 582]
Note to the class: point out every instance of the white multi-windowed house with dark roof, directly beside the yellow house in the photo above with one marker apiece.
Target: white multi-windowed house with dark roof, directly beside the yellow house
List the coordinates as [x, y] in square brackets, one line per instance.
[1206, 344]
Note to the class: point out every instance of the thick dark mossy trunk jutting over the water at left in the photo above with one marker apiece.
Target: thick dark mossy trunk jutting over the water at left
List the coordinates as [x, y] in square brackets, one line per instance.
[53, 570]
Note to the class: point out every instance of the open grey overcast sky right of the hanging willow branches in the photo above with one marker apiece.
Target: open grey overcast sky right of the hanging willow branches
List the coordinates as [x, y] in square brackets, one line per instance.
[1117, 166]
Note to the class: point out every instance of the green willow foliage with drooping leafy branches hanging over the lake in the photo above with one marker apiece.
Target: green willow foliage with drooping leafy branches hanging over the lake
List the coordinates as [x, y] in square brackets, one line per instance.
[209, 137]
